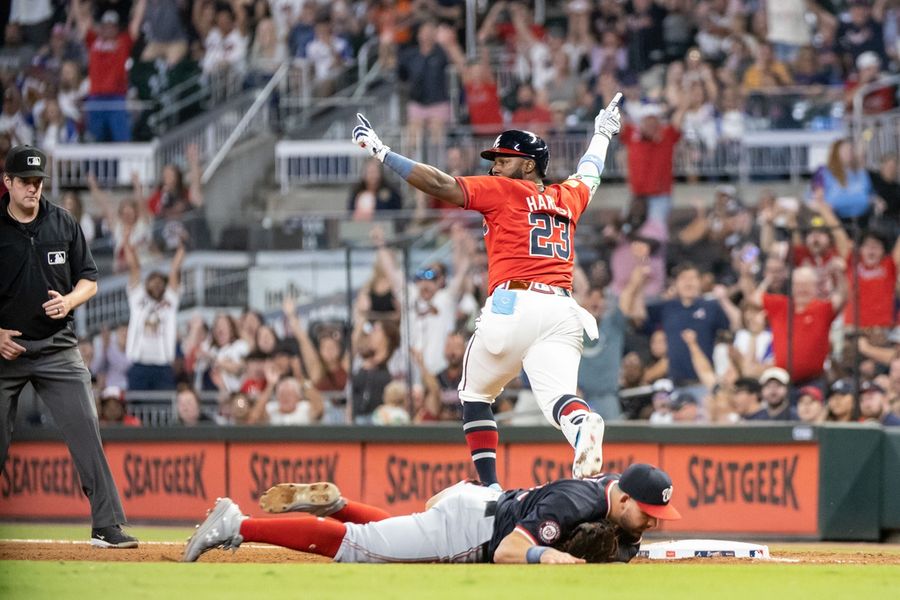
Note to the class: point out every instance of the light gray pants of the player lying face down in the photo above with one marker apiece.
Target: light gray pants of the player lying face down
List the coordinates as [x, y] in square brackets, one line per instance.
[456, 529]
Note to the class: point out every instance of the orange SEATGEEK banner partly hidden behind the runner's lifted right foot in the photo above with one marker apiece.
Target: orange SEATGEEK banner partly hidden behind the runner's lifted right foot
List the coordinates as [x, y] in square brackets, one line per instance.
[528, 465]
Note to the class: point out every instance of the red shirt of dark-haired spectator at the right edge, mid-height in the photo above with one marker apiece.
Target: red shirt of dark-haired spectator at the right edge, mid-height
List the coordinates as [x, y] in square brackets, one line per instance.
[875, 288]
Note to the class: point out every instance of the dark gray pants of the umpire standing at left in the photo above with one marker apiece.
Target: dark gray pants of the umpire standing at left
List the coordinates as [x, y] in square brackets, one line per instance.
[64, 384]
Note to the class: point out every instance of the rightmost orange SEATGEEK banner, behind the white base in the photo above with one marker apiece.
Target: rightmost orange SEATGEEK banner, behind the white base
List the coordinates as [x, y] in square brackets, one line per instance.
[744, 488]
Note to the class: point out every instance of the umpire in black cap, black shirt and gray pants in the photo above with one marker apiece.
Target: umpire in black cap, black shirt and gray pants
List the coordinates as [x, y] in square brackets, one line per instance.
[46, 271]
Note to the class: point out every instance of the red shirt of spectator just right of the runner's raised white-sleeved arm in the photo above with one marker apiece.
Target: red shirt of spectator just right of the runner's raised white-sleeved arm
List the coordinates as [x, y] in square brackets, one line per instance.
[650, 161]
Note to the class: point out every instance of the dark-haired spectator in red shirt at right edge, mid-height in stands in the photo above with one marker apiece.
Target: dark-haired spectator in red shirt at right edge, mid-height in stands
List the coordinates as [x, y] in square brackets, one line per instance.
[873, 284]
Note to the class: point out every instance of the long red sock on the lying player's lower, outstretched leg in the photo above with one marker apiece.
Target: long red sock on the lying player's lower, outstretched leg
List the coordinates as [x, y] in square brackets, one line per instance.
[307, 534]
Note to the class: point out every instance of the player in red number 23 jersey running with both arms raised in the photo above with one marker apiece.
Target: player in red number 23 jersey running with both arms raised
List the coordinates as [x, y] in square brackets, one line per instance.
[530, 320]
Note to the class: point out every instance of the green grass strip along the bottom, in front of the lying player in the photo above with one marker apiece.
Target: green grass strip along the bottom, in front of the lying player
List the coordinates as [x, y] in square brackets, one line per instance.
[35, 580]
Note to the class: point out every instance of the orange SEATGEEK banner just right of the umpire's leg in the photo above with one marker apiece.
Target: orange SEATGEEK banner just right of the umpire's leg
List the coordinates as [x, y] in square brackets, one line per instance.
[182, 479]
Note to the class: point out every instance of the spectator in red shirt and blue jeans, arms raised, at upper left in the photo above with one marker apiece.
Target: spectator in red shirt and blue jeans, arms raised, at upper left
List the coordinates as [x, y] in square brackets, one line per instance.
[109, 48]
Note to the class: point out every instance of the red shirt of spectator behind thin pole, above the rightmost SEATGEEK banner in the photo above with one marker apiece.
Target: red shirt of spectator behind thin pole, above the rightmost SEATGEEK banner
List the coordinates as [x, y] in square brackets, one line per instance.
[810, 335]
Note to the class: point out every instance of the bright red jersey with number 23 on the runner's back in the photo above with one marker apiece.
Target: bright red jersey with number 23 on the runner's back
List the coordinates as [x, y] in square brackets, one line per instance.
[528, 234]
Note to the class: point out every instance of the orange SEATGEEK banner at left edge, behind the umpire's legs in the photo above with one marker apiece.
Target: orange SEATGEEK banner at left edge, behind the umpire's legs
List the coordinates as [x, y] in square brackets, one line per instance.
[40, 480]
